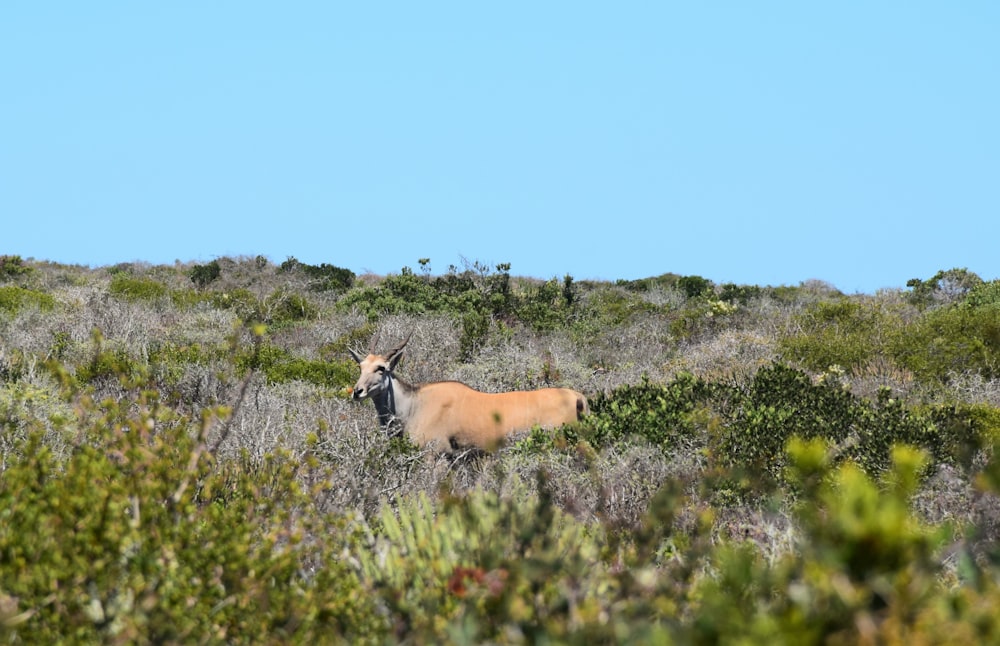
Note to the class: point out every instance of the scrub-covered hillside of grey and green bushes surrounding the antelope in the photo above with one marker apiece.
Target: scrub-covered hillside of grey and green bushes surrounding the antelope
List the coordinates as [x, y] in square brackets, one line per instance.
[180, 460]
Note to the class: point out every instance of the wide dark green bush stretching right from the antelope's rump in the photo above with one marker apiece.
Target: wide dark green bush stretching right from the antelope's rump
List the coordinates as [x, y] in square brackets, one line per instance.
[746, 430]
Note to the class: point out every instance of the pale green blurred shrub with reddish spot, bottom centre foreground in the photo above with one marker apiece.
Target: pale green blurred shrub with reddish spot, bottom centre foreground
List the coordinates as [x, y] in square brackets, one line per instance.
[483, 569]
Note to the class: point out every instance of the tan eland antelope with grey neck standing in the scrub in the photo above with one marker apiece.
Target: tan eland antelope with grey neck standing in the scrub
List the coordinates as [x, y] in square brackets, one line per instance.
[450, 415]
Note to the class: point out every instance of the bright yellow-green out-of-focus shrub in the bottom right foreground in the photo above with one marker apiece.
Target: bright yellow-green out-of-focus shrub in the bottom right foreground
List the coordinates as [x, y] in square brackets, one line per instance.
[865, 569]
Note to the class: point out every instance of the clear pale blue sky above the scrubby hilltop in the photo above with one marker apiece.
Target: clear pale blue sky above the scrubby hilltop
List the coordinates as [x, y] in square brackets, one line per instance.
[755, 142]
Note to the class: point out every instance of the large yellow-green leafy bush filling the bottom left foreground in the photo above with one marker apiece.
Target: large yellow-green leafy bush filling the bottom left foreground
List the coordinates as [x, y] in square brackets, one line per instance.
[140, 537]
